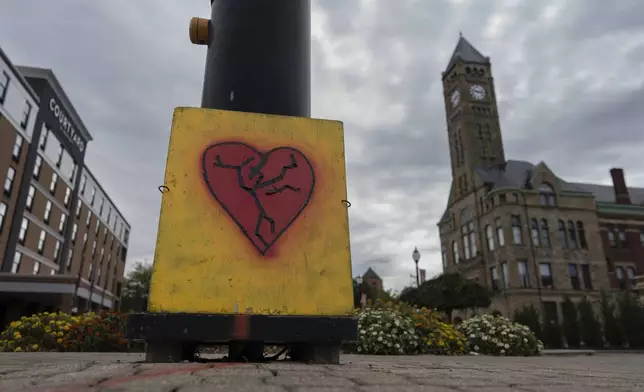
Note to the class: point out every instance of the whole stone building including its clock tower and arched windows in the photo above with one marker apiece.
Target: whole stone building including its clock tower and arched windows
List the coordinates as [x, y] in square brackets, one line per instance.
[518, 228]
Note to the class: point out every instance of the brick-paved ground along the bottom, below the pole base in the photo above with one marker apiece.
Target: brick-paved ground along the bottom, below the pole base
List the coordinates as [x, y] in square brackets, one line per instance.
[125, 372]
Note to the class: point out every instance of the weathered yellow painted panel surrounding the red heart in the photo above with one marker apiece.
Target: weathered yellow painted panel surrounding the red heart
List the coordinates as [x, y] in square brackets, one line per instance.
[204, 264]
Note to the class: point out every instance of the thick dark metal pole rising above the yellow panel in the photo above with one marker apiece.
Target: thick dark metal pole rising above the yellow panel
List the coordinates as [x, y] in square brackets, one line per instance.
[259, 57]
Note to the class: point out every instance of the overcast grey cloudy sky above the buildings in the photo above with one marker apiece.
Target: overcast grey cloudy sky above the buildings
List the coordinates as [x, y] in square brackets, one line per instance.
[569, 79]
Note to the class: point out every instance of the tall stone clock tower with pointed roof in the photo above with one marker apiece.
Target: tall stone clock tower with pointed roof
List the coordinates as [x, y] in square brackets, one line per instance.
[473, 127]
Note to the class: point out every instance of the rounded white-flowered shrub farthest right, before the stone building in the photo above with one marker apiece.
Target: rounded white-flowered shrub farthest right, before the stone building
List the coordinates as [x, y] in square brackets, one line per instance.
[490, 335]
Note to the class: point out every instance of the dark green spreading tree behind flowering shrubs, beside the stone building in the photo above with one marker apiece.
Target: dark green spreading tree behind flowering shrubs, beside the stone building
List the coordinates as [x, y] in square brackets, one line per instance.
[447, 292]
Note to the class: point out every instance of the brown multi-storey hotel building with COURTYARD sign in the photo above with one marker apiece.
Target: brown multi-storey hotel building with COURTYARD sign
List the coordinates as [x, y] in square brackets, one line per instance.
[63, 242]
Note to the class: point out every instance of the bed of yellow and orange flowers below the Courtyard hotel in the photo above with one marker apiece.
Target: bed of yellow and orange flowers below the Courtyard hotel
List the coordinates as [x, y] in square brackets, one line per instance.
[62, 332]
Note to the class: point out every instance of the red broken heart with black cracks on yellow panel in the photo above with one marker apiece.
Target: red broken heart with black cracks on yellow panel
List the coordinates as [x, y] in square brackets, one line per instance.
[263, 193]
